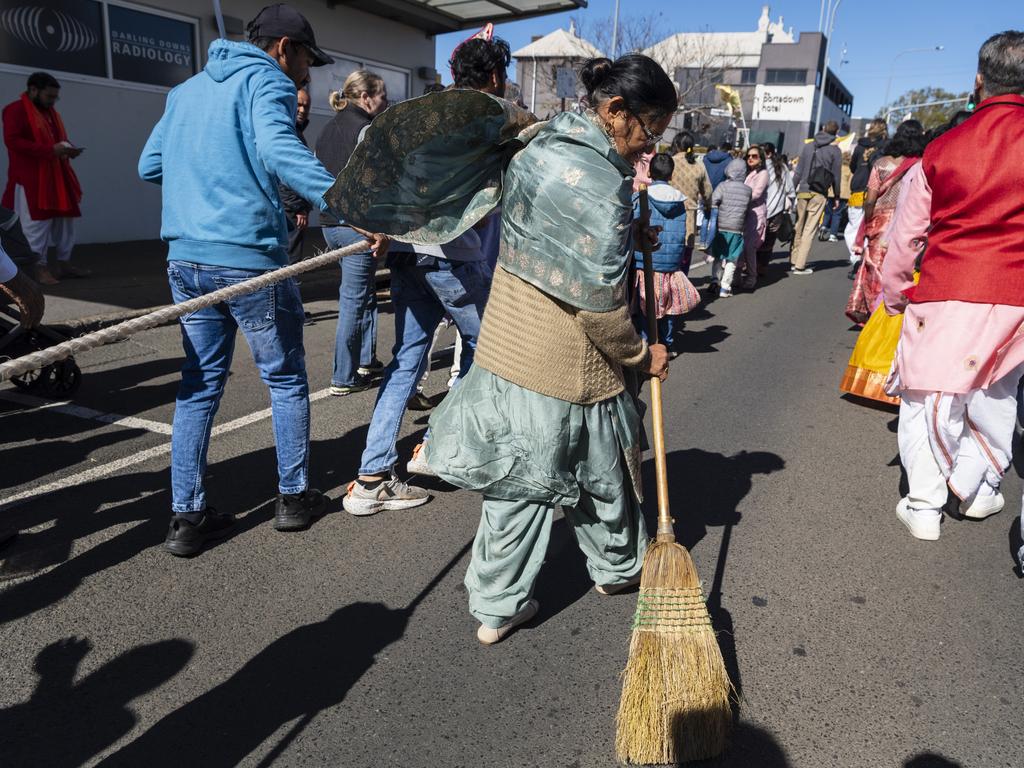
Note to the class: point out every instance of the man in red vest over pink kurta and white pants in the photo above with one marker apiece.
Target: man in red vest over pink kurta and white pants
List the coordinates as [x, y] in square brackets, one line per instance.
[961, 355]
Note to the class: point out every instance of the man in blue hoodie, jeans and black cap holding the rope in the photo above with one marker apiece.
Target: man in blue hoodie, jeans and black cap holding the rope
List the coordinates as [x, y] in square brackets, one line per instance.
[226, 142]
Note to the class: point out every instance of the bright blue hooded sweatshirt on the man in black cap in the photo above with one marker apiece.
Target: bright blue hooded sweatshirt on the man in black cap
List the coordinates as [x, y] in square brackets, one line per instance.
[226, 141]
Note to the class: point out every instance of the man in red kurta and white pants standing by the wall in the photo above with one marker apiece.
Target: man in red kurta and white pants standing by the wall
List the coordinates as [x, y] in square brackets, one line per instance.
[41, 186]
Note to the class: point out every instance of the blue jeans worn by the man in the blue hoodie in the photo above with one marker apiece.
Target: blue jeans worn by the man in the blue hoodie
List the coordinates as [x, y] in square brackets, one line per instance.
[272, 322]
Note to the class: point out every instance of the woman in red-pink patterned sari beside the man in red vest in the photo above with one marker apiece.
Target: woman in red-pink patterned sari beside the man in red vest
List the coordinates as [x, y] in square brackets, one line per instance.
[902, 154]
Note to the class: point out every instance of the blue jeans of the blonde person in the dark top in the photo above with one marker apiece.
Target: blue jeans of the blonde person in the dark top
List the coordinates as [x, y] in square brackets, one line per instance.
[356, 340]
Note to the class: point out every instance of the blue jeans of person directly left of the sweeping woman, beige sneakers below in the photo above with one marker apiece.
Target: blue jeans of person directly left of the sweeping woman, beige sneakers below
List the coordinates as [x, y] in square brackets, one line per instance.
[421, 296]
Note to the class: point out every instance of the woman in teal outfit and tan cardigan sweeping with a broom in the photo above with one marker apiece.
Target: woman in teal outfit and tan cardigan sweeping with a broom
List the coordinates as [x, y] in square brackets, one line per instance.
[545, 417]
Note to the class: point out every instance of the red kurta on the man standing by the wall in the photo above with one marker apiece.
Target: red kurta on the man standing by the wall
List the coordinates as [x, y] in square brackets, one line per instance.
[31, 162]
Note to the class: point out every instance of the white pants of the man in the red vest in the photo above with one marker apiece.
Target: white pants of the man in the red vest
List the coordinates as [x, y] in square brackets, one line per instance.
[964, 442]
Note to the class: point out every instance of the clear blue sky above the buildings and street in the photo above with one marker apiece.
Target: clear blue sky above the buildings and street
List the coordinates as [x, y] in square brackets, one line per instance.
[874, 32]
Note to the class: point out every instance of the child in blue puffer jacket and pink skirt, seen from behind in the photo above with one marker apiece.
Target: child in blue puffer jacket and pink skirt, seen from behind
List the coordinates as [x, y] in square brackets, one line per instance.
[675, 294]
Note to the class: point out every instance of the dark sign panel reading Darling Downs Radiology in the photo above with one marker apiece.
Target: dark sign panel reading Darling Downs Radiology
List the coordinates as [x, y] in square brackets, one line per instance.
[151, 49]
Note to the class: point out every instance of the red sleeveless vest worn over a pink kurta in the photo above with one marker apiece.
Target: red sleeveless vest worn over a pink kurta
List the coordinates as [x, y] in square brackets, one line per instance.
[976, 243]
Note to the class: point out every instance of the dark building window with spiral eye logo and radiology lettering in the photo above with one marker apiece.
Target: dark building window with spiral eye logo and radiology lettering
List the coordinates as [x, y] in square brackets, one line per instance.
[101, 39]
